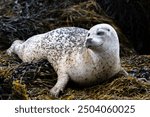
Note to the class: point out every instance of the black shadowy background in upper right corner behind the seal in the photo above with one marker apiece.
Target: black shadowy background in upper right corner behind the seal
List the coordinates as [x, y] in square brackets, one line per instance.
[133, 17]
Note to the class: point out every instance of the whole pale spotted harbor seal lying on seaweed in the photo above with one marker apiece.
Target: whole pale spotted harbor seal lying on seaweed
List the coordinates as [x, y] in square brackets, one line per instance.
[86, 57]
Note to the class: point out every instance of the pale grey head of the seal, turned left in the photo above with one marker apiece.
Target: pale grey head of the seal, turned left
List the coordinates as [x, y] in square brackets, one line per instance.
[102, 37]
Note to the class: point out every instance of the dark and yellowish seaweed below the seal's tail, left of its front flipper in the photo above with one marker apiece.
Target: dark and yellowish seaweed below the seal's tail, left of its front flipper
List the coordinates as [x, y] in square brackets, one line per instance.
[17, 78]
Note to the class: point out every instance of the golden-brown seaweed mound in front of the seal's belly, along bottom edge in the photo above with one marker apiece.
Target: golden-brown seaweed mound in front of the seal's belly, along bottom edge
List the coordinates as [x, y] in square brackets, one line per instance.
[120, 88]
